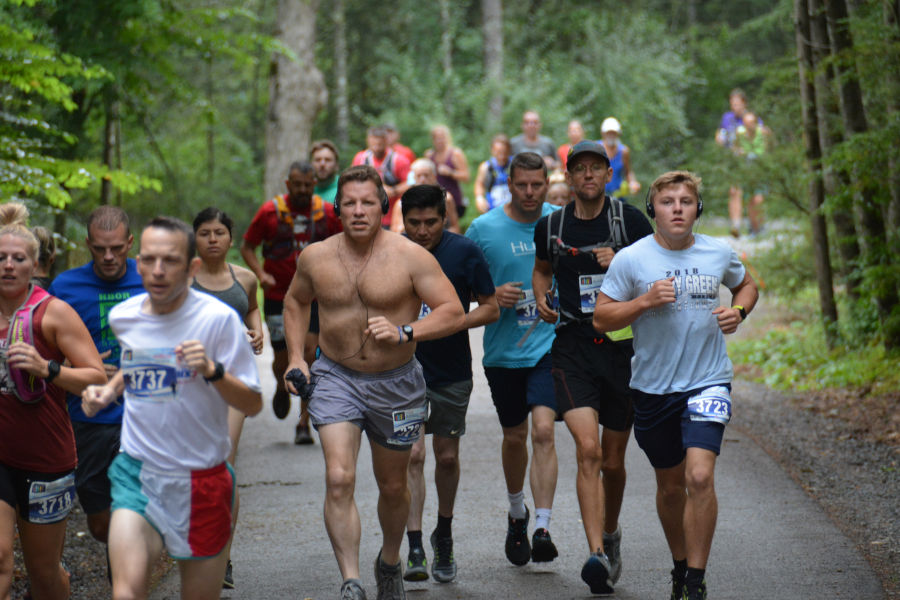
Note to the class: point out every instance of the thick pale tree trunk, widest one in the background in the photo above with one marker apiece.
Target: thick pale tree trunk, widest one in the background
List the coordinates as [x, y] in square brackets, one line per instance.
[296, 92]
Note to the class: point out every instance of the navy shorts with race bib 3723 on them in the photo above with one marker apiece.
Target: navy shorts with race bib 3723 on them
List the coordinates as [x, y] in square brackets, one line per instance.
[665, 434]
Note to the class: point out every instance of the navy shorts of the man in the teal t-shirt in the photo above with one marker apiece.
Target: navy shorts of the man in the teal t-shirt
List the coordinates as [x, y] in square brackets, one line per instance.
[515, 391]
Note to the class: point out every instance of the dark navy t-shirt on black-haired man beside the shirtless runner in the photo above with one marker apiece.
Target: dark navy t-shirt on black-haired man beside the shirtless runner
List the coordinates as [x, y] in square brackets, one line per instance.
[449, 360]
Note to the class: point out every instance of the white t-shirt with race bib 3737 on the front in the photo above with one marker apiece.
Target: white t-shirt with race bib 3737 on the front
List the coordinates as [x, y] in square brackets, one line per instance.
[173, 418]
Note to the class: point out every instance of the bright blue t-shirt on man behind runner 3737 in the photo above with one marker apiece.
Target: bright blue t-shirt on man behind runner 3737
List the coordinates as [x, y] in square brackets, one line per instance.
[92, 298]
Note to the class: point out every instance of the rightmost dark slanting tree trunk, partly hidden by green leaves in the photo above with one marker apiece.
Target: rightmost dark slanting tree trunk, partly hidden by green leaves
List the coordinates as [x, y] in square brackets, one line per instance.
[870, 219]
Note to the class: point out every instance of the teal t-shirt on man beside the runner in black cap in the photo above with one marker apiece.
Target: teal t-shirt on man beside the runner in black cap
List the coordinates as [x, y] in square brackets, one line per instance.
[508, 247]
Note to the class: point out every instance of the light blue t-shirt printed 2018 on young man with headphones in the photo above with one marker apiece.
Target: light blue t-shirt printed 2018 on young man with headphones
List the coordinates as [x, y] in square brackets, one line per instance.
[677, 347]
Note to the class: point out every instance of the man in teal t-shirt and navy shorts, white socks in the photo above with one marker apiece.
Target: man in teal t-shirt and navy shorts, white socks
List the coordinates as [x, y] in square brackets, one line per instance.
[517, 358]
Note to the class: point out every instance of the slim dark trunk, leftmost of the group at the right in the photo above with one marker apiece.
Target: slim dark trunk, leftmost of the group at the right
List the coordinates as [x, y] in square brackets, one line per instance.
[805, 67]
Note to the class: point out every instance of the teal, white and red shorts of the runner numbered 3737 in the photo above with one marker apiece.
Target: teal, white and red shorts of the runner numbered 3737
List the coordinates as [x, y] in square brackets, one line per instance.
[191, 510]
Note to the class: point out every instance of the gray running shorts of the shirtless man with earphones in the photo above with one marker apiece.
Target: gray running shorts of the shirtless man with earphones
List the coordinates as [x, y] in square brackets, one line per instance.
[389, 406]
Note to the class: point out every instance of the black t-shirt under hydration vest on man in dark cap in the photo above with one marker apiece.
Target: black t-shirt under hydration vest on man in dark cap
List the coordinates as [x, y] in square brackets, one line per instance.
[577, 276]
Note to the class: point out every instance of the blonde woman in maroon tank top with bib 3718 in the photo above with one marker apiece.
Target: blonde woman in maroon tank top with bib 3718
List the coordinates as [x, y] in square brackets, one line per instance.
[37, 447]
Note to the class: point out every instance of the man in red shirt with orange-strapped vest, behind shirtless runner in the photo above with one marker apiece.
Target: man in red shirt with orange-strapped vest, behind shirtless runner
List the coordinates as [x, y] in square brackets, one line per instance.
[284, 226]
